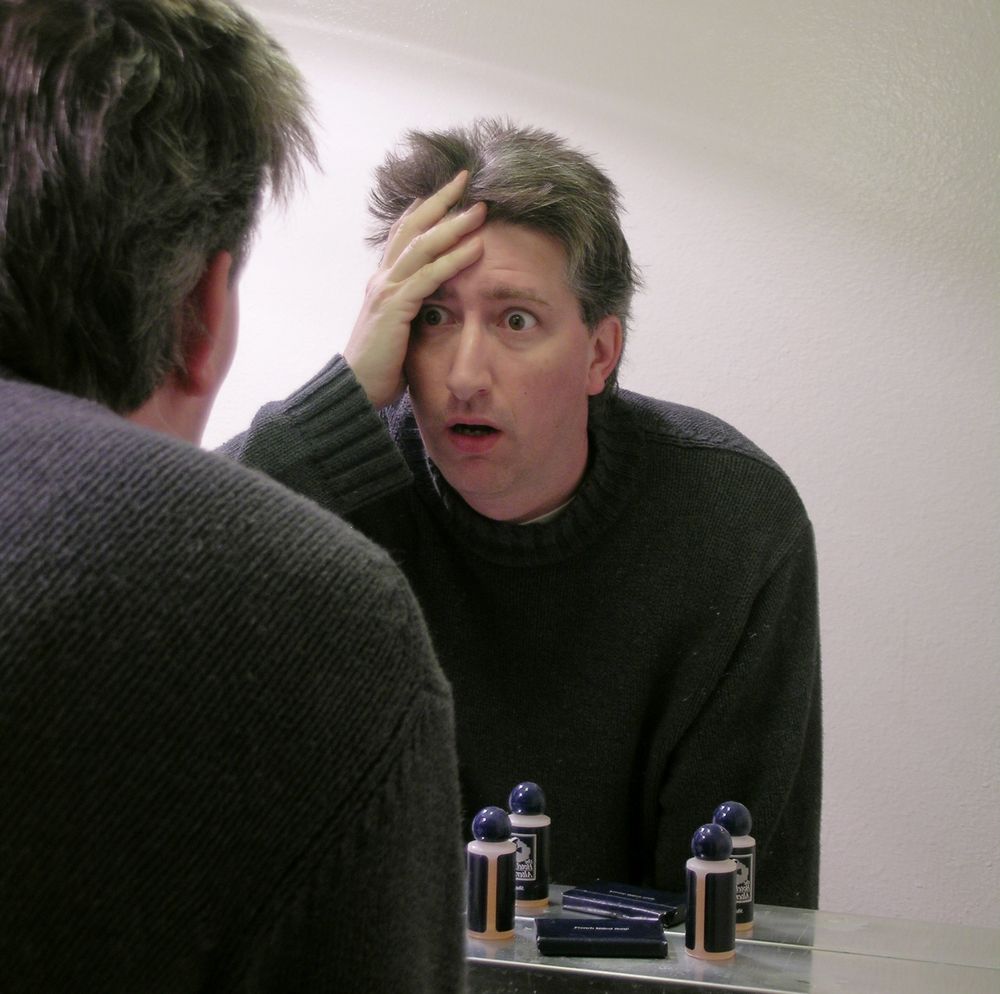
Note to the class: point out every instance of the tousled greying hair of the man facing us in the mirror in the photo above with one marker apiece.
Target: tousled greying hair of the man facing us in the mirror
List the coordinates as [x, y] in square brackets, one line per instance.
[529, 177]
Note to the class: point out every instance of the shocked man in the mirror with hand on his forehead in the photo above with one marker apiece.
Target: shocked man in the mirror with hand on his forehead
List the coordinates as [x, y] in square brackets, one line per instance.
[622, 591]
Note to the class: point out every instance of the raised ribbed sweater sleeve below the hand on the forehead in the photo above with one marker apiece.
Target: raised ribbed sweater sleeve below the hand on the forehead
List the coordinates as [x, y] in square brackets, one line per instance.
[326, 442]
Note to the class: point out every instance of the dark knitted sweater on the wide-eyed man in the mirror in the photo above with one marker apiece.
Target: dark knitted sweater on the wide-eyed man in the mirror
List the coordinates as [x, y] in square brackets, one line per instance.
[650, 652]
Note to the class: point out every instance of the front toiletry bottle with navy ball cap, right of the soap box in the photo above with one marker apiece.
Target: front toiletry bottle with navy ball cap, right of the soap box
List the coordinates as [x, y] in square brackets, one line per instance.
[710, 927]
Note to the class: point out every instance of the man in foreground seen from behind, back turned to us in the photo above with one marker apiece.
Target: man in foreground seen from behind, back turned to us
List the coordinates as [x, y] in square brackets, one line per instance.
[226, 747]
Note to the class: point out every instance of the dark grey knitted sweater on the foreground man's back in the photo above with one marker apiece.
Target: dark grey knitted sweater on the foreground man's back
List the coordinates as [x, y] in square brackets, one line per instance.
[226, 748]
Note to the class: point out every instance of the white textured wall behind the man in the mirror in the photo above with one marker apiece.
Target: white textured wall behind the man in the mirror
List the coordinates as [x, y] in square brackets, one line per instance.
[812, 190]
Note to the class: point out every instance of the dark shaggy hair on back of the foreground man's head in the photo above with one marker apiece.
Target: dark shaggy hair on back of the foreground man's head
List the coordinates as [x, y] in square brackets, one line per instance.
[138, 137]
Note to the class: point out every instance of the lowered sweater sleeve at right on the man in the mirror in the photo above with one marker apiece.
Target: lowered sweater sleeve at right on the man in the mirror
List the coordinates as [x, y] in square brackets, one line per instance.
[758, 740]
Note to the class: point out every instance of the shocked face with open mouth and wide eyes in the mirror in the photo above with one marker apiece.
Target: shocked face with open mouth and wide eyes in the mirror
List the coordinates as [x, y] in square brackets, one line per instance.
[500, 366]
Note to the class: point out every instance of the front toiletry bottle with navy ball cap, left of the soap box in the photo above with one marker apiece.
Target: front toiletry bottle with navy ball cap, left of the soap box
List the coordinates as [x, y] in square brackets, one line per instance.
[490, 860]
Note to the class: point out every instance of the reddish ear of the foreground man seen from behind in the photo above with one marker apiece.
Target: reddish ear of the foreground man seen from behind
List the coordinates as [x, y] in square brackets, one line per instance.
[209, 329]
